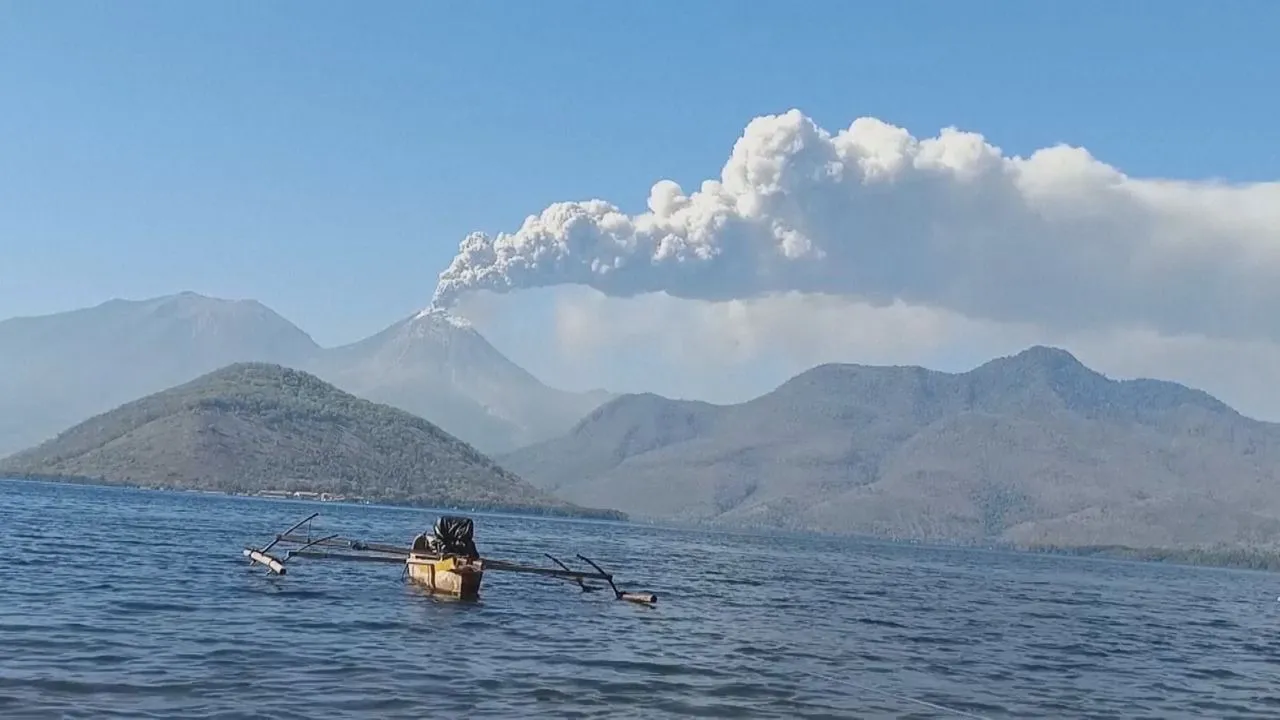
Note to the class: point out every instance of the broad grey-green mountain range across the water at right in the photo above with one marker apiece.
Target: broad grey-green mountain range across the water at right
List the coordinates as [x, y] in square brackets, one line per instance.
[1034, 449]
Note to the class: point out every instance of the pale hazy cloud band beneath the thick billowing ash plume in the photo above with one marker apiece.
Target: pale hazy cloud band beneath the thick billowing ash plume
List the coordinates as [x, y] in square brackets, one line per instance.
[730, 352]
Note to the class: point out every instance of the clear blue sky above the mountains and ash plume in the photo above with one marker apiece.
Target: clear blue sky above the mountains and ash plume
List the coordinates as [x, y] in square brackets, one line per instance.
[327, 158]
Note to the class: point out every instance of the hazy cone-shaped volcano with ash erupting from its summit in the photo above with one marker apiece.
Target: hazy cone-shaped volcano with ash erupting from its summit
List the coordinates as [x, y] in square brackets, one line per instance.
[437, 366]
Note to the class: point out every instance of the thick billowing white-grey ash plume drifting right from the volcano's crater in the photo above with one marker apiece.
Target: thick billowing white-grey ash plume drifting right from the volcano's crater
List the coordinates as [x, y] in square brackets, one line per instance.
[1058, 239]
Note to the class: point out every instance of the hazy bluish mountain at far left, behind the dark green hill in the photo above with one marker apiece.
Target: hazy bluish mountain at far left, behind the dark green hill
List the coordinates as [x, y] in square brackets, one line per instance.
[61, 370]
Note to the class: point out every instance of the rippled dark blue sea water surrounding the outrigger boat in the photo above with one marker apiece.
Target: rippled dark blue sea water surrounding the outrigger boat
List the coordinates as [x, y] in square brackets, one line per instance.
[131, 604]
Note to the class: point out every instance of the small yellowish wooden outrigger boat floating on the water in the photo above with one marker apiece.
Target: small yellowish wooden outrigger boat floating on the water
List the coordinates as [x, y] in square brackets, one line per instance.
[444, 562]
